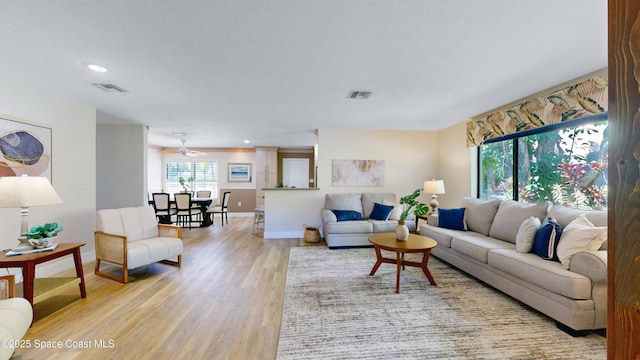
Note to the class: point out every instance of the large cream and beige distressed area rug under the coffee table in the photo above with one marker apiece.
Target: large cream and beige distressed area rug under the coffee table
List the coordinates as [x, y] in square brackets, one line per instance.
[333, 309]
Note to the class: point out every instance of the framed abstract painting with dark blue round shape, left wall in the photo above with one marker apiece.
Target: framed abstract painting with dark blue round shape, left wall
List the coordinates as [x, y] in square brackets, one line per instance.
[24, 149]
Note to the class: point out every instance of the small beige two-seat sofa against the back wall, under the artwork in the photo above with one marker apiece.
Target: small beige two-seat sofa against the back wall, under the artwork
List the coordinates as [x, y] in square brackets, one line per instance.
[356, 232]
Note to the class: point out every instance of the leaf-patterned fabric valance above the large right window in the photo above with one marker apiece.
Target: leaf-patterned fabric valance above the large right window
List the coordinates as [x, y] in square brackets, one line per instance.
[574, 102]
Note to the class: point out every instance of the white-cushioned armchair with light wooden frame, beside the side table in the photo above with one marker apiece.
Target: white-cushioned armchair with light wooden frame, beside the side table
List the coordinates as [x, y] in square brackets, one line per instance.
[131, 237]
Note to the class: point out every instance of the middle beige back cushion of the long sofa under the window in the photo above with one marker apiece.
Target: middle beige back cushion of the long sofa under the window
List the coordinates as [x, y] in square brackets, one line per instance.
[510, 216]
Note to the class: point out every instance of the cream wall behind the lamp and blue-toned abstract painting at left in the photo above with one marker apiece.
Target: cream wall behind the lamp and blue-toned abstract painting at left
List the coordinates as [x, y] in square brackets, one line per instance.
[73, 165]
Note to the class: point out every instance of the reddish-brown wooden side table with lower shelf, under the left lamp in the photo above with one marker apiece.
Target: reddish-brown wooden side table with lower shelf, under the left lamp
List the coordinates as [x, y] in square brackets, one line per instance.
[34, 289]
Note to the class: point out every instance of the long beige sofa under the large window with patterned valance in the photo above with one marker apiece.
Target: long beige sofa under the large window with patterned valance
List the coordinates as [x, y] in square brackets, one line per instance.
[575, 297]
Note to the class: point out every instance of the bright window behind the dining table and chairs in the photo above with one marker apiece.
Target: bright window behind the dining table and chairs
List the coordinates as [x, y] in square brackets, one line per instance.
[196, 175]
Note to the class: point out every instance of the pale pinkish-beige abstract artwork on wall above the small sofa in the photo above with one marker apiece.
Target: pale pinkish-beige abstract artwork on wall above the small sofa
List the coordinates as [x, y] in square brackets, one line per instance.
[357, 173]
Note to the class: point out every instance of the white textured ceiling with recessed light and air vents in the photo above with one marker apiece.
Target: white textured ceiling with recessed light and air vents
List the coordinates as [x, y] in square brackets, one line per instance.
[274, 71]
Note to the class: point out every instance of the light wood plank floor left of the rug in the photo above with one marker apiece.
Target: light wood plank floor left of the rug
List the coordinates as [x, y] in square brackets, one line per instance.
[225, 302]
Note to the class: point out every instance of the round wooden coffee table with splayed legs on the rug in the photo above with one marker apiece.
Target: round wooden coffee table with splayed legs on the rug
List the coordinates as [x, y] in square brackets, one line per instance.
[415, 244]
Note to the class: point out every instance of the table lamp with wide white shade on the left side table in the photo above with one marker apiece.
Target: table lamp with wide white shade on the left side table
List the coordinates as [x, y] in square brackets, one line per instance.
[24, 192]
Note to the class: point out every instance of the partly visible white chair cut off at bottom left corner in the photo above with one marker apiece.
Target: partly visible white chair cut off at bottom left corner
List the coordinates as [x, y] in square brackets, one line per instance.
[16, 315]
